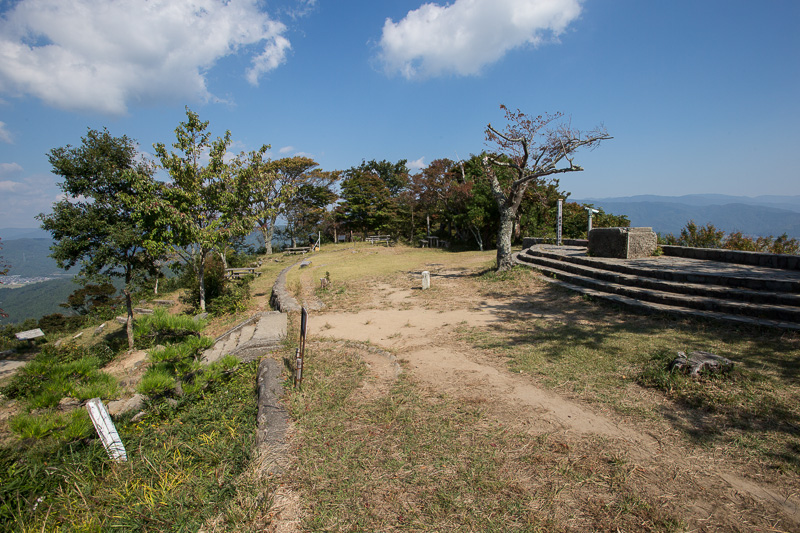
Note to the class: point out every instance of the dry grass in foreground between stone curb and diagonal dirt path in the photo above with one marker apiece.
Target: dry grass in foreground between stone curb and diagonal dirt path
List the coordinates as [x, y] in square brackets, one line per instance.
[412, 459]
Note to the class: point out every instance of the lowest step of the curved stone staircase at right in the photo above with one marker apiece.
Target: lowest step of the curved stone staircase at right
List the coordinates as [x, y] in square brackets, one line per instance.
[665, 301]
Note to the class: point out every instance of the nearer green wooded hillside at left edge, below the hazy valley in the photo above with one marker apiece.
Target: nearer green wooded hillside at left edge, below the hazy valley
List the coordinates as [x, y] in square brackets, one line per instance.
[35, 300]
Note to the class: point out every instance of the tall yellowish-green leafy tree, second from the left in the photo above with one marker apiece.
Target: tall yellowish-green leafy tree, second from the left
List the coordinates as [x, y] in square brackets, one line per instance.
[206, 205]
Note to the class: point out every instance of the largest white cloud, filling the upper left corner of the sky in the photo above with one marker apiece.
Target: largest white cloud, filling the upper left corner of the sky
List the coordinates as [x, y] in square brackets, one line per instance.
[101, 55]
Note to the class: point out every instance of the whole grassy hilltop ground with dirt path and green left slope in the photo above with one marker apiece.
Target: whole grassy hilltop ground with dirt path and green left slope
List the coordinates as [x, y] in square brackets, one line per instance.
[491, 402]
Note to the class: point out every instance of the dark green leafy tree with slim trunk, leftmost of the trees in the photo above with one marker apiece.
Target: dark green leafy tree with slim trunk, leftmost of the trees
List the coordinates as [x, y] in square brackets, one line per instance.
[98, 223]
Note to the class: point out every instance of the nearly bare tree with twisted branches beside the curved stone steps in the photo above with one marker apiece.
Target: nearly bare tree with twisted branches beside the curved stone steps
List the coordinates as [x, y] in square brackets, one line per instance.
[527, 151]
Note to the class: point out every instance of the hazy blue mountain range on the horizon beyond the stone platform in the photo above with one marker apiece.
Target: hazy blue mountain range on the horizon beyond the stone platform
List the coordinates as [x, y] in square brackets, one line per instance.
[759, 216]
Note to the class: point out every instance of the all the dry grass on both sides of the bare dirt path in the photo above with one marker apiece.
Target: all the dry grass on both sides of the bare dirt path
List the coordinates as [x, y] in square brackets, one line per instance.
[406, 456]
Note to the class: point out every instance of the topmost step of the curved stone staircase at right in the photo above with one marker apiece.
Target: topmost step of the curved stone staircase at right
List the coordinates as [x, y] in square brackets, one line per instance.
[755, 278]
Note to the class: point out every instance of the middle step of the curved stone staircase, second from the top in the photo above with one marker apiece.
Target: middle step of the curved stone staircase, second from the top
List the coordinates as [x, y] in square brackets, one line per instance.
[645, 281]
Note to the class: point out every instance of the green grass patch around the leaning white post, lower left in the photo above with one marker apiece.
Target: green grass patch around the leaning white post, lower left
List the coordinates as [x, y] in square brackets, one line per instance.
[184, 469]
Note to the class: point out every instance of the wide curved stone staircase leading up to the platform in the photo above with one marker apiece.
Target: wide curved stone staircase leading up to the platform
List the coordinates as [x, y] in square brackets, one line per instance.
[710, 289]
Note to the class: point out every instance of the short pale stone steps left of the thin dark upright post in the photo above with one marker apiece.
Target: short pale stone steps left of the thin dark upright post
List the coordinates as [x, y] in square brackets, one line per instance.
[250, 339]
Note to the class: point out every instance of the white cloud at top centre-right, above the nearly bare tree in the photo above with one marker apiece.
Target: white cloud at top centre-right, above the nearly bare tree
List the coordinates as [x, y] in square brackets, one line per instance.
[463, 37]
